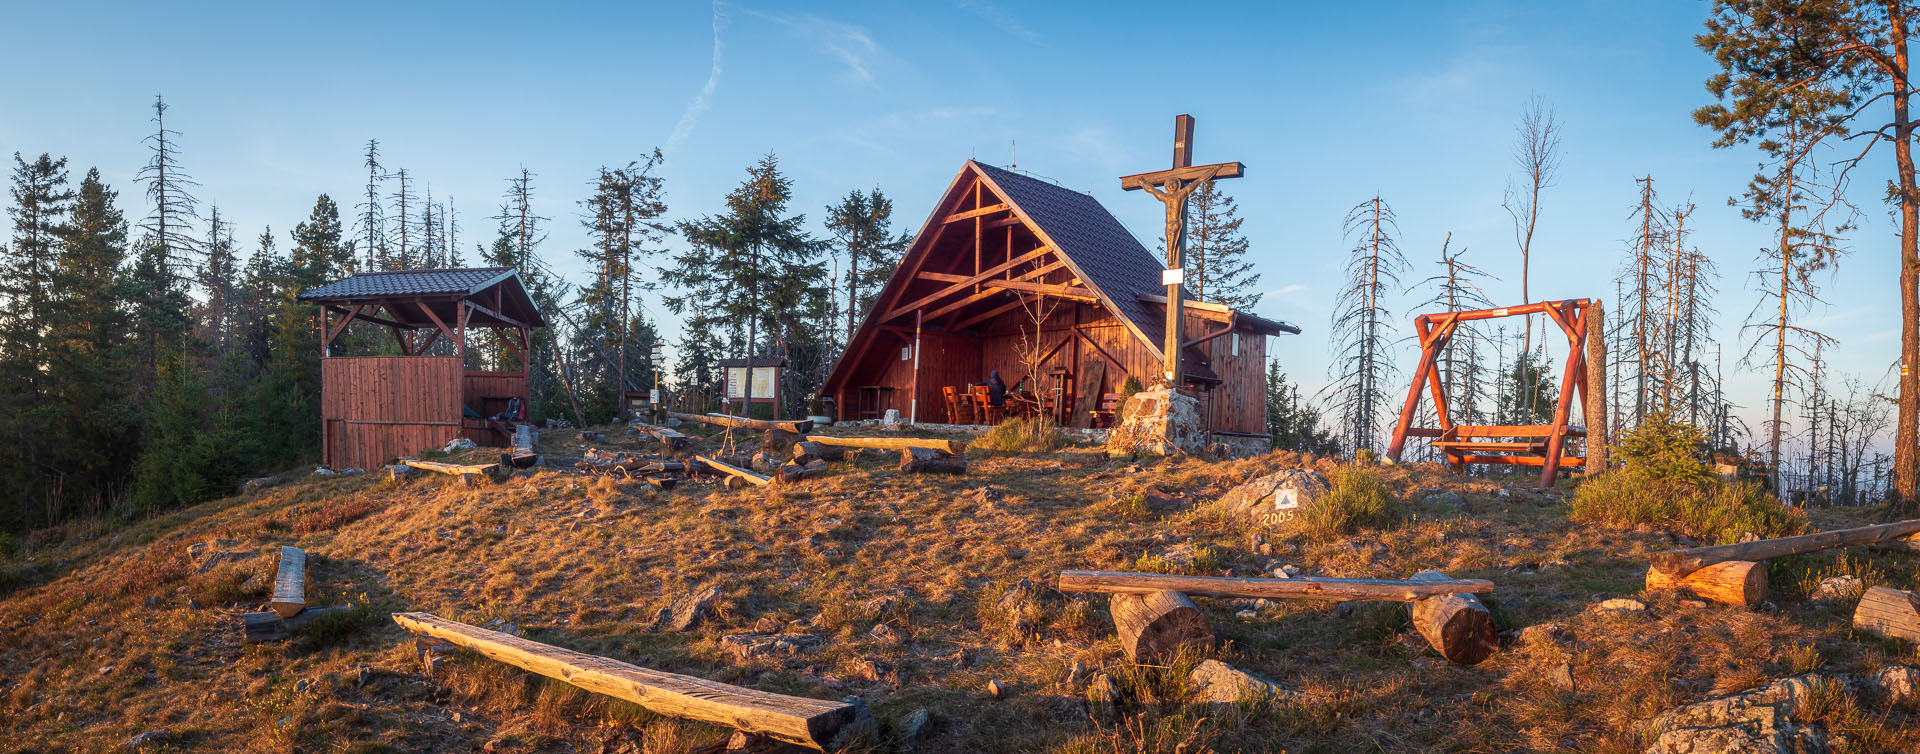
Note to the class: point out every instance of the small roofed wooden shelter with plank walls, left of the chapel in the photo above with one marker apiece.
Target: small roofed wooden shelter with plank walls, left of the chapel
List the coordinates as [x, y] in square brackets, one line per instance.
[377, 410]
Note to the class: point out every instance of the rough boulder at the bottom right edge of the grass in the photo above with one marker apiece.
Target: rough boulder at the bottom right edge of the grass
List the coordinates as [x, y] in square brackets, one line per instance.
[1760, 720]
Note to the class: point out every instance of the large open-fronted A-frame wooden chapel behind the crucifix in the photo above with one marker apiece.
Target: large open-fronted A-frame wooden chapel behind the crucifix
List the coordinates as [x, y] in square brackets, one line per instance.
[1044, 285]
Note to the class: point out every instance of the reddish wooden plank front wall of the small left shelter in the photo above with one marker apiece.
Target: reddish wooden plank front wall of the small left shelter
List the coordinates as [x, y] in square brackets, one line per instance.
[375, 410]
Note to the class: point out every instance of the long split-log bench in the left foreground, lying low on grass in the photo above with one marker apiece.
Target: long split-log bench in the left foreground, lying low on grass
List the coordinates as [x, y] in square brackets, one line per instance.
[807, 722]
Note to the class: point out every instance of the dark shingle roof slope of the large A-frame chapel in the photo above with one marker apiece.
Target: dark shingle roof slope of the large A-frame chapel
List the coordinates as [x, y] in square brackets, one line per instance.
[1095, 245]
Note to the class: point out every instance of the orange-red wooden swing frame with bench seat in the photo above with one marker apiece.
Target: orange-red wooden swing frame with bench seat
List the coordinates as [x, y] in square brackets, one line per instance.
[1499, 444]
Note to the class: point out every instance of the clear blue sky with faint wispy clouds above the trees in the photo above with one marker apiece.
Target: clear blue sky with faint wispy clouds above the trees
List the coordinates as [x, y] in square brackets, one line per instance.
[1326, 105]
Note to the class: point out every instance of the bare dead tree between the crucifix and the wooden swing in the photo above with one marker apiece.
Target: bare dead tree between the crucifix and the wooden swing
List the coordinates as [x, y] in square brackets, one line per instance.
[1362, 335]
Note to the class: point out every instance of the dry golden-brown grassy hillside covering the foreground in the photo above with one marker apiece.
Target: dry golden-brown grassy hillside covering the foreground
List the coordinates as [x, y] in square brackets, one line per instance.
[108, 634]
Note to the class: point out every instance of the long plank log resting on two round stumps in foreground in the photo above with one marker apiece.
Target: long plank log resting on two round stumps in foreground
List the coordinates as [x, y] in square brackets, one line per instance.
[1301, 588]
